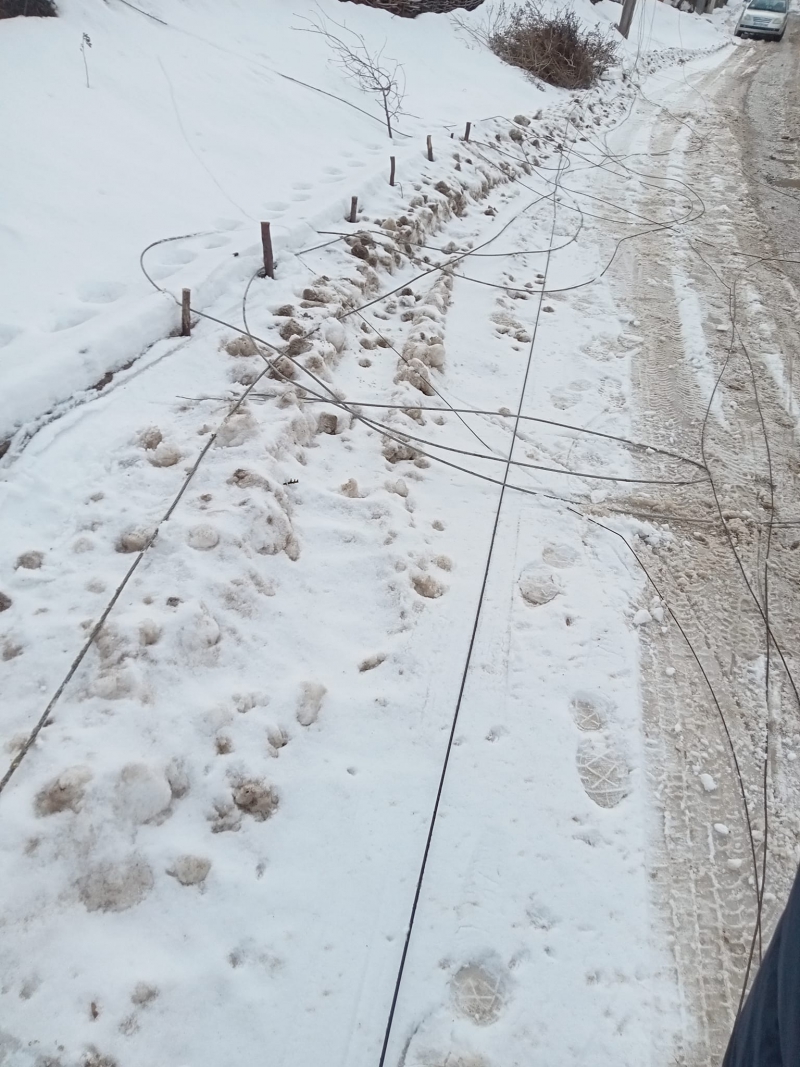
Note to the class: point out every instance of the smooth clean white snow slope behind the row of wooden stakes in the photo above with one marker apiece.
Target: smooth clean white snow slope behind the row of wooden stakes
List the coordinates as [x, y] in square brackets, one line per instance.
[190, 128]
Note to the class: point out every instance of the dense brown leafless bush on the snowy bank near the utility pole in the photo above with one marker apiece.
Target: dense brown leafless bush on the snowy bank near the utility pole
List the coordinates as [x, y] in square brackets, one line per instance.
[554, 47]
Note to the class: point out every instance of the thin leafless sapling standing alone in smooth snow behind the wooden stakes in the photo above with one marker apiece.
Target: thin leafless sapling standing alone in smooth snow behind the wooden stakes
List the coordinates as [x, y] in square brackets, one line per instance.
[371, 71]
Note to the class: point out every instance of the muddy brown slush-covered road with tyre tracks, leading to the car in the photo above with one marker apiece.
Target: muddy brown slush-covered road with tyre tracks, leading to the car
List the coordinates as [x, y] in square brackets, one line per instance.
[713, 345]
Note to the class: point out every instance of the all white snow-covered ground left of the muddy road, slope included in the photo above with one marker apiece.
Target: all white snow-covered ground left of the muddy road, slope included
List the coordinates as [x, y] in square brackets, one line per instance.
[215, 843]
